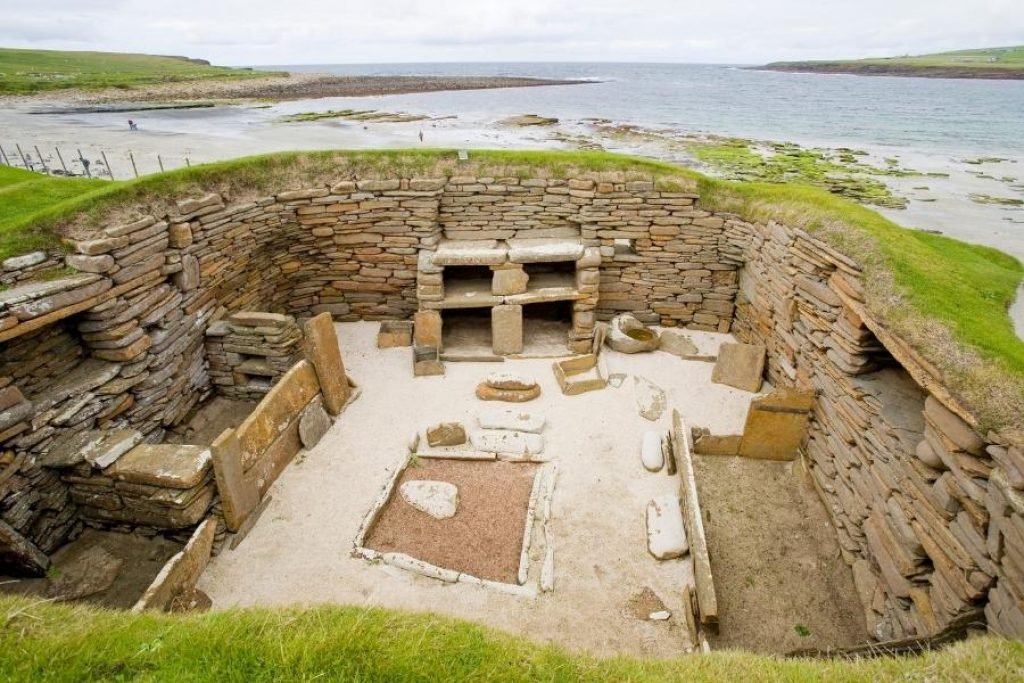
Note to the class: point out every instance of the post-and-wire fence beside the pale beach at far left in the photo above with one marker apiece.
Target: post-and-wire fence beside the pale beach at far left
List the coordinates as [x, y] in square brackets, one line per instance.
[87, 162]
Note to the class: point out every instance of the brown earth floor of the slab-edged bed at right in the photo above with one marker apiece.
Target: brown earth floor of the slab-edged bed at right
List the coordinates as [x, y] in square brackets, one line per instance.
[781, 582]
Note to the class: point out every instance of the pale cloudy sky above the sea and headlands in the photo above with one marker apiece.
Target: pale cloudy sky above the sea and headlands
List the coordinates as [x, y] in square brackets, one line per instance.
[293, 32]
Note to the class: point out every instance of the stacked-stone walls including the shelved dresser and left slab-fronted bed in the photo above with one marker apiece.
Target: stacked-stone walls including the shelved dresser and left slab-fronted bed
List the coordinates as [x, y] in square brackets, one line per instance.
[97, 367]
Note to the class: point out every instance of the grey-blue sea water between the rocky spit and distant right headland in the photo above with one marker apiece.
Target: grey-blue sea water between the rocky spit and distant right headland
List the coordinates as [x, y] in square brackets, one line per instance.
[956, 117]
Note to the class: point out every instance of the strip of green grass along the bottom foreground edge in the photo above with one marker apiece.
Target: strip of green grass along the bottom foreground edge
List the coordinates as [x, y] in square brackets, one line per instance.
[59, 643]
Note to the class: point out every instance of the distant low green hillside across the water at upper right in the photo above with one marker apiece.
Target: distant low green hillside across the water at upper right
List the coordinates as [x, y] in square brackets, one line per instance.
[993, 63]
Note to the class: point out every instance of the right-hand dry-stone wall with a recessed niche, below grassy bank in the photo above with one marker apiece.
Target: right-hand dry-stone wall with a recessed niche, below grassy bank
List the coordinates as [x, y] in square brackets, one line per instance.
[928, 511]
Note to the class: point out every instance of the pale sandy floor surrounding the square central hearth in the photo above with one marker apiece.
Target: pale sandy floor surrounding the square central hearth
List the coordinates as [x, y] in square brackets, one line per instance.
[300, 552]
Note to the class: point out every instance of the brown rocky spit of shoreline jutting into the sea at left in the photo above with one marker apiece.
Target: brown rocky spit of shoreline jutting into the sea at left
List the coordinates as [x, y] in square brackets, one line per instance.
[281, 89]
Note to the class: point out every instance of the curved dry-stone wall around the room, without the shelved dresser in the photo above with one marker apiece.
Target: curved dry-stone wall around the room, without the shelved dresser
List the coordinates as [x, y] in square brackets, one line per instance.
[929, 513]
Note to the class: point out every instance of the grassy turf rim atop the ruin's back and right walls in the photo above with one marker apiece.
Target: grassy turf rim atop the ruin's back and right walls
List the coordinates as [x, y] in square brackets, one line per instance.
[947, 298]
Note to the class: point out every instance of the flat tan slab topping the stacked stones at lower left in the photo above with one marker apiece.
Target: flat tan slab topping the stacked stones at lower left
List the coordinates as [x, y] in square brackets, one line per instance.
[165, 465]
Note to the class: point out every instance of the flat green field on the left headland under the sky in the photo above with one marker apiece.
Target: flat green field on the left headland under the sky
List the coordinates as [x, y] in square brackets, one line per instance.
[25, 72]
